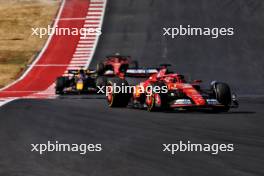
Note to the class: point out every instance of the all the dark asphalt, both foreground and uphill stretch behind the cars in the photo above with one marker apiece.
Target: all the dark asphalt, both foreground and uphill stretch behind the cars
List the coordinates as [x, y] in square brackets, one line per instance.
[132, 139]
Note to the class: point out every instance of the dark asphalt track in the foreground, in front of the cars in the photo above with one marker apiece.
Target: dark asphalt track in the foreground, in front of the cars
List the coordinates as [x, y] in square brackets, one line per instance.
[132, 139]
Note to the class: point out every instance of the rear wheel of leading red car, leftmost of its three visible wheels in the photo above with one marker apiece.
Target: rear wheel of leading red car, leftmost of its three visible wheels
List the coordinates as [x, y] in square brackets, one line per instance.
[117, 99]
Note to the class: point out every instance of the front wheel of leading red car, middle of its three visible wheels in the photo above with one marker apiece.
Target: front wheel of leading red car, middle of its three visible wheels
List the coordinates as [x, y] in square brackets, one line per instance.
[157, 101]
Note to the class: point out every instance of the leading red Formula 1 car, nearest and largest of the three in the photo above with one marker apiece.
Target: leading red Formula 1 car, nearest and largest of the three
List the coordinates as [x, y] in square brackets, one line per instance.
[166, 90]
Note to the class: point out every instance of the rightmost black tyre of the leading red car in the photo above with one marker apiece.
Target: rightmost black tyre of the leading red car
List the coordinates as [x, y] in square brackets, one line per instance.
[223, 95]
